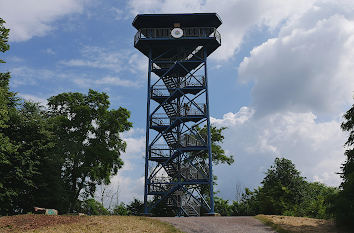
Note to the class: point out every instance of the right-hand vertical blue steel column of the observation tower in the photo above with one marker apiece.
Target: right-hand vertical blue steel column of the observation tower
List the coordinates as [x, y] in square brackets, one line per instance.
[209, 136]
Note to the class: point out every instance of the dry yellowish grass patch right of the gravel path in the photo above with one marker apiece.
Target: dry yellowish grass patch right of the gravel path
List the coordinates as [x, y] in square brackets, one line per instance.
[290, 224]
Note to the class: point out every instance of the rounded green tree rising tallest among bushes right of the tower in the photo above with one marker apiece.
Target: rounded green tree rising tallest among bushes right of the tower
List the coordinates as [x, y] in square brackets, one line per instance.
[282, 188]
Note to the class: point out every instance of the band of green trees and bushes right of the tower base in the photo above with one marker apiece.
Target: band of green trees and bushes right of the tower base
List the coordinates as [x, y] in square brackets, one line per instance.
[285, 192]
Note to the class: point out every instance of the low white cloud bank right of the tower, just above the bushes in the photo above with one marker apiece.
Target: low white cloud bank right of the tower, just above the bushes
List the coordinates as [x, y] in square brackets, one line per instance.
[316, 148]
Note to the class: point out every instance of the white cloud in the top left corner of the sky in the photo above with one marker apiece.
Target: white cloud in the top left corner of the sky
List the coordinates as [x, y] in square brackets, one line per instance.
[29, 18]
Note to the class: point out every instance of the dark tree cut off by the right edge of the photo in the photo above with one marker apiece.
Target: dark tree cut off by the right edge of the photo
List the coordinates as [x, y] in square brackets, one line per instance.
[345, 201]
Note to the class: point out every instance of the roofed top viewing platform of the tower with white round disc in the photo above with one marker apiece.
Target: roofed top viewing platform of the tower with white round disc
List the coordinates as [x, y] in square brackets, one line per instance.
[194, 30]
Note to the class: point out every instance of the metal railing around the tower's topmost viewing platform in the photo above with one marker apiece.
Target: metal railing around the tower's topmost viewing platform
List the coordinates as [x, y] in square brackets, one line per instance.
[165, 33]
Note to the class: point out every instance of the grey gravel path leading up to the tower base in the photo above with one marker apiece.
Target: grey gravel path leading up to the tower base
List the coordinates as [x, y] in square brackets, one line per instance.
[218, 224]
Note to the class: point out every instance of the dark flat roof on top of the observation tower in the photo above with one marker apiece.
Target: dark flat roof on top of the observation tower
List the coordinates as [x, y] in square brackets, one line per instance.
[185, 20]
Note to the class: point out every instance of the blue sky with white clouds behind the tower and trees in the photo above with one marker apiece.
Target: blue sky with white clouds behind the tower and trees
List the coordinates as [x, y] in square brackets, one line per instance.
[280, 82]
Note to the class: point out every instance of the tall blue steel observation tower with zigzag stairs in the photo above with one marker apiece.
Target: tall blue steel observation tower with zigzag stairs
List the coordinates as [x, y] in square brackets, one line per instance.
[178, 167]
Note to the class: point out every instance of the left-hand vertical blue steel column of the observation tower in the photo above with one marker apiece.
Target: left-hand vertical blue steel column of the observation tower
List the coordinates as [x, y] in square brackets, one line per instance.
[147, 134]
